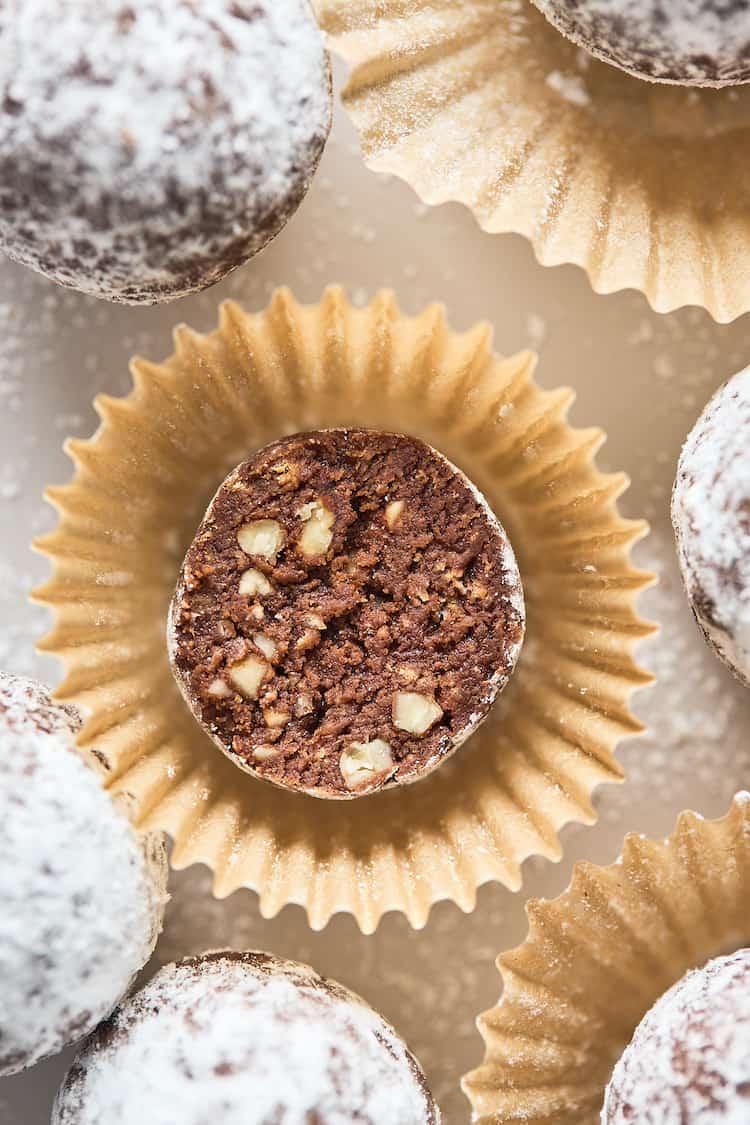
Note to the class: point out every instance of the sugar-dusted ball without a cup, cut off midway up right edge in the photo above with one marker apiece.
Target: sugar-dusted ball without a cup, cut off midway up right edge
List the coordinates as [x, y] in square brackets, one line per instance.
[711, 514]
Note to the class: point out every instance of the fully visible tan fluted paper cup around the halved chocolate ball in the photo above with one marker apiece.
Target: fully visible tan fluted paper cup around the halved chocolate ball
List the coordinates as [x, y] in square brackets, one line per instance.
[140, 490]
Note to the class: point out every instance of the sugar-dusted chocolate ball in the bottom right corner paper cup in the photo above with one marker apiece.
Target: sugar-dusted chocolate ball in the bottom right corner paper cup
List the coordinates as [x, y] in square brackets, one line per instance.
[690, 1059]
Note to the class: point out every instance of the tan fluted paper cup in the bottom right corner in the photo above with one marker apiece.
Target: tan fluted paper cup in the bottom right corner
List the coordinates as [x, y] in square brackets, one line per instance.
[598, 958]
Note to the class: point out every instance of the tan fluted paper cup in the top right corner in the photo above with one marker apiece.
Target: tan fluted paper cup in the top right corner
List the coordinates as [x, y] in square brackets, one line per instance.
[484, 103]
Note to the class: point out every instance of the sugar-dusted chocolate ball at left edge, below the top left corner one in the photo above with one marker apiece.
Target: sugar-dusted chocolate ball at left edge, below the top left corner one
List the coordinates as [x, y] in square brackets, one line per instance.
[82, 896]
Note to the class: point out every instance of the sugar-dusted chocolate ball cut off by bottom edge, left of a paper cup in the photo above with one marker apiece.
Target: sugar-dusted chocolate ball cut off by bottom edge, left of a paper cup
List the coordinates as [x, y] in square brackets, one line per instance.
[245, 1039]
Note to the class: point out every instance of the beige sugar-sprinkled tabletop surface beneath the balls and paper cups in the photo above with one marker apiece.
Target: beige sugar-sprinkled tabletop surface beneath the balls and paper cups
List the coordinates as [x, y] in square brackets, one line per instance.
[643, 377]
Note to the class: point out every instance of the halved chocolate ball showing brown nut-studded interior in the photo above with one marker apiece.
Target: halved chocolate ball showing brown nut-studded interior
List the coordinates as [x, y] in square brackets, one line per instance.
[347, 614]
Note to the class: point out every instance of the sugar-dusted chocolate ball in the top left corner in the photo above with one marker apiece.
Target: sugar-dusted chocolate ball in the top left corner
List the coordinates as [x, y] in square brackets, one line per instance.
[150, 147]
